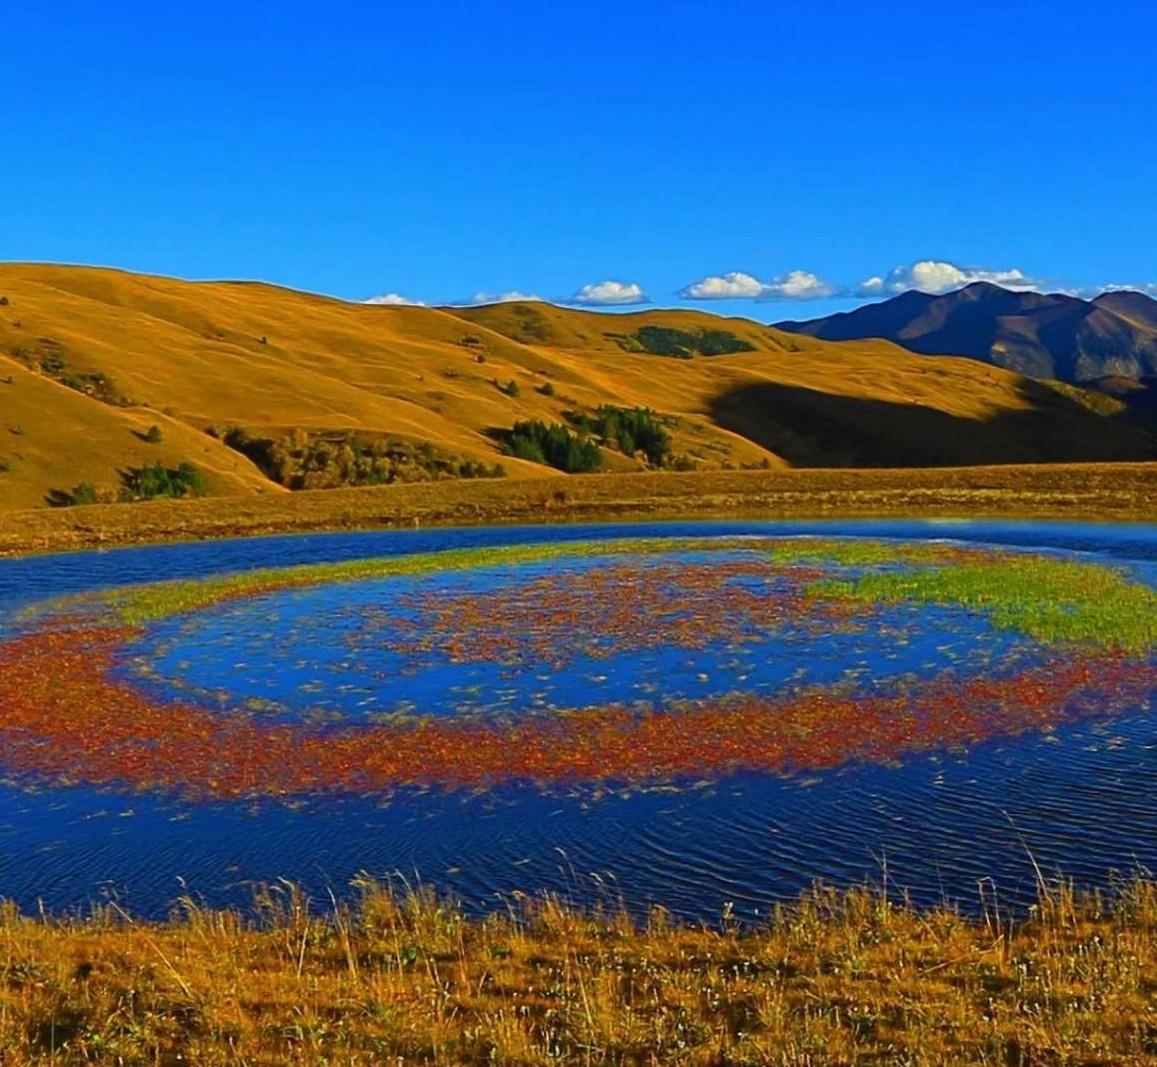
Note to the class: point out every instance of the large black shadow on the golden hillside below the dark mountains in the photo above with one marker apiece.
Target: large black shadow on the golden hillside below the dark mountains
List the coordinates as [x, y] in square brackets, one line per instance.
[812, 429]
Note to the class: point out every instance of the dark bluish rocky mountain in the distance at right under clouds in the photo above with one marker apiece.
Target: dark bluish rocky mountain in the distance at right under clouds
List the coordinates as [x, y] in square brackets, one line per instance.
[1044, 336]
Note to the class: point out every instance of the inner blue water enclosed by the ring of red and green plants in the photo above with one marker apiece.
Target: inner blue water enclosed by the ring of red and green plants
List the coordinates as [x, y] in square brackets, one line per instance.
[311, 651]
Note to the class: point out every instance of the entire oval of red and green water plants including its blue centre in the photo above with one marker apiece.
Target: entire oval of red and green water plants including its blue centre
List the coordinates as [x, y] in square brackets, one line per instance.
[1000, 643]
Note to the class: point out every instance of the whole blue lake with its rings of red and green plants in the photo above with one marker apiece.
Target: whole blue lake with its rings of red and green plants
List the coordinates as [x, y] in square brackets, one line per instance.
[704, 716]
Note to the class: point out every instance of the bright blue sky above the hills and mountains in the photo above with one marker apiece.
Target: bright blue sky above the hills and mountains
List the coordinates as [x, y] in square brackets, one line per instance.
[444, 150]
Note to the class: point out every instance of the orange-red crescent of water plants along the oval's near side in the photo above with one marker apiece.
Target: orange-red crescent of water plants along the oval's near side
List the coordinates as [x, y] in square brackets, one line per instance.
[68, 719]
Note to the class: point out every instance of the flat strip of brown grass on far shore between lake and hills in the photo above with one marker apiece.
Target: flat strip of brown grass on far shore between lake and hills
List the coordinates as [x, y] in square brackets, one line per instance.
[1103, 492]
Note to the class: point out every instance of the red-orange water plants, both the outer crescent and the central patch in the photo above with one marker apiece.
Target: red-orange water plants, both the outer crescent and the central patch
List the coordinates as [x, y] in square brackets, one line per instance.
[69, 713]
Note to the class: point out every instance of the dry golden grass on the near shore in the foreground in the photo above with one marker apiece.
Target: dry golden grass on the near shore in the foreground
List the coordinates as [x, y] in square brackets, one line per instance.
[839, 978]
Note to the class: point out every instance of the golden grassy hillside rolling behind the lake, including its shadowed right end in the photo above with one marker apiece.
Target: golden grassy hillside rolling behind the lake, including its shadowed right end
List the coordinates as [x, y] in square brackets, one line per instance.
[193, 356]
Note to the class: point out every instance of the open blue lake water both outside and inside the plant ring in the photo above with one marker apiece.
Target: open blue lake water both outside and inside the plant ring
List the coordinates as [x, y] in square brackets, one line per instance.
[1084, 800]
